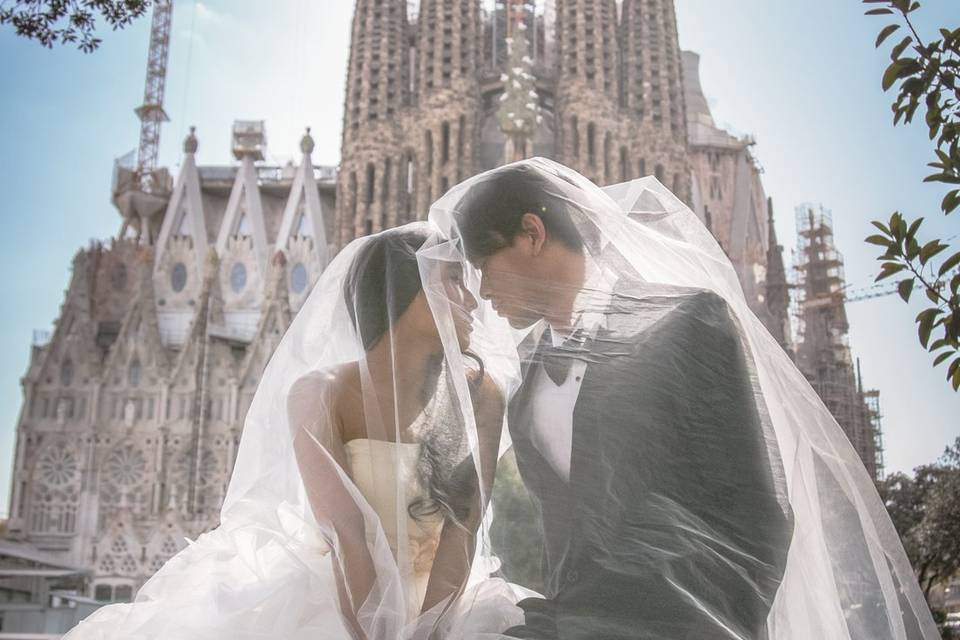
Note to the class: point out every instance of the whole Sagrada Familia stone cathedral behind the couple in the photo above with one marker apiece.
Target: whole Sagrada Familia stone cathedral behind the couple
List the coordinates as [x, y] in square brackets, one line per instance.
[134, 405]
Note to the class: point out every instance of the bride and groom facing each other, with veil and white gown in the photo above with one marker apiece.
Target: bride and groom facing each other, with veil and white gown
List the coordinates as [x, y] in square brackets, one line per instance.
[683, 480]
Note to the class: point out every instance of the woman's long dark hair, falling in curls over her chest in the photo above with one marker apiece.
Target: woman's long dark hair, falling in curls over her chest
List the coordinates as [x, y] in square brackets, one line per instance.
[382, 282]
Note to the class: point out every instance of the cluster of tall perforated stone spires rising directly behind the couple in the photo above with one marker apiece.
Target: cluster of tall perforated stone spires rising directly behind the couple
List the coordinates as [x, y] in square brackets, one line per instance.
[420, 114]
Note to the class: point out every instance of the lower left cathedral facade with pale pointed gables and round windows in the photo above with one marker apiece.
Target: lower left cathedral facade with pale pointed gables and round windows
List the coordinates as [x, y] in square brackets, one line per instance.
[133, 408]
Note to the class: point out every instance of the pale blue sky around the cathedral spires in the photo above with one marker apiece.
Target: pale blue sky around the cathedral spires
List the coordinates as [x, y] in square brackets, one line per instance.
[802, 78]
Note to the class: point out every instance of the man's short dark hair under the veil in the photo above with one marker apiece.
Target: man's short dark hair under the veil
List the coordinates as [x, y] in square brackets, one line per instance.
[489, 214]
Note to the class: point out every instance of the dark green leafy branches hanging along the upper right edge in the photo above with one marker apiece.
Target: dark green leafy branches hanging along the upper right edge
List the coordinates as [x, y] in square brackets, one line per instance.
[925, 74]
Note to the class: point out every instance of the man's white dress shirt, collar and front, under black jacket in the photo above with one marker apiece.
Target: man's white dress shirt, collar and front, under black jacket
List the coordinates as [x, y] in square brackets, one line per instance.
[552, 405]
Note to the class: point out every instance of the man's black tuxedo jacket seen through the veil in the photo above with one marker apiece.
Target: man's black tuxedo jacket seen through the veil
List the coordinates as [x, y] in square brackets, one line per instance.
[670, 521]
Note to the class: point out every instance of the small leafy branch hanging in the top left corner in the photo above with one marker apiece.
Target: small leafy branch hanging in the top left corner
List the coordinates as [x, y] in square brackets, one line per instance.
[61, 21]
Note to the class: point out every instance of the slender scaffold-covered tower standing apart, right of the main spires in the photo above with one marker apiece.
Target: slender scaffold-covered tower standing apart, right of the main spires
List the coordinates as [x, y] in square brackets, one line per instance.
[823, 349]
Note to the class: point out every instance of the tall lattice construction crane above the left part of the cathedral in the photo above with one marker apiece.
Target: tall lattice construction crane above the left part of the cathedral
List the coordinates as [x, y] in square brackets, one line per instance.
[141, 190]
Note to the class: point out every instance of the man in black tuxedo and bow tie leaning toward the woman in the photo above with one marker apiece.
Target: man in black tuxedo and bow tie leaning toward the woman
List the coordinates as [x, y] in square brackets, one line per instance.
[635, 430]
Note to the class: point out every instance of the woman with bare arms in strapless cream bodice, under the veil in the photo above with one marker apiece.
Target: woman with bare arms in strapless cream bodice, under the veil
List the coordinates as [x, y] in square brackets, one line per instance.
[387, 422]
